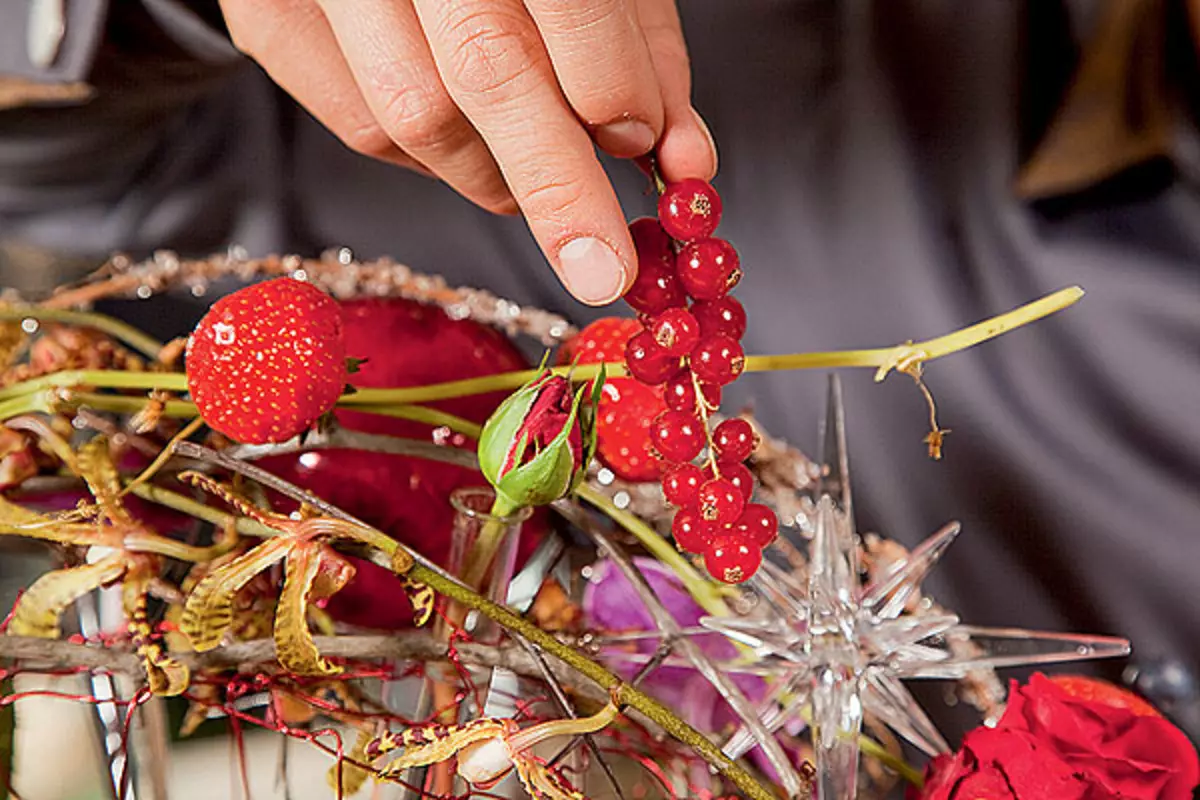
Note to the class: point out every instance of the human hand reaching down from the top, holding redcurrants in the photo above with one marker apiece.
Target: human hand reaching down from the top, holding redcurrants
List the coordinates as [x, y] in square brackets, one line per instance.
[502, 100]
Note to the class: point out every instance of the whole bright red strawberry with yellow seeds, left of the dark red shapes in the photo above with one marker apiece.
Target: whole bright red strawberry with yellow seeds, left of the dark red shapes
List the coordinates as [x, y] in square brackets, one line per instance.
[267, 362]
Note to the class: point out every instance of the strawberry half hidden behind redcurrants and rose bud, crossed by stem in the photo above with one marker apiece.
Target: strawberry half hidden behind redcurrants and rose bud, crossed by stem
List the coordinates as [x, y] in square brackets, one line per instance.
[627, 406]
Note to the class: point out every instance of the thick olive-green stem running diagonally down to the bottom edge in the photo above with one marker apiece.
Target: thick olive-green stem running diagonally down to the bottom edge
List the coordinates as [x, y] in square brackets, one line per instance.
[623, 693]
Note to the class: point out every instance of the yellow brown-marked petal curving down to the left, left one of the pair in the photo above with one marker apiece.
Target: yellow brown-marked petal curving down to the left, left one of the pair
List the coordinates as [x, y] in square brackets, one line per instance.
[208, 613]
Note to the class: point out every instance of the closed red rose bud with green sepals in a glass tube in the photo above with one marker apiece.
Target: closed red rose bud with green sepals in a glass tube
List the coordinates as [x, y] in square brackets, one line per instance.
[537, 447]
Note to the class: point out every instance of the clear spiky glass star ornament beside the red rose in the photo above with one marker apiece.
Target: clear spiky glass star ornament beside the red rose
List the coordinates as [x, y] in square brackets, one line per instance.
[837, 649]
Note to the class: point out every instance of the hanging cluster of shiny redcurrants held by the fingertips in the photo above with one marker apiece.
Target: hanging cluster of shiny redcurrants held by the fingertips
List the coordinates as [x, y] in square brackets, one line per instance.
[693, 352]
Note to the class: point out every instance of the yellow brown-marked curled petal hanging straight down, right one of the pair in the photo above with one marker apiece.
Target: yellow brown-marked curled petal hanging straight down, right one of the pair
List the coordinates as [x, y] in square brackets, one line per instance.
[293, 641]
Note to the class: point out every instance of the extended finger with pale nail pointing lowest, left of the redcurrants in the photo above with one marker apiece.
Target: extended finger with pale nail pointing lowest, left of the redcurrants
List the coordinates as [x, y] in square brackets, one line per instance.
[494, 65]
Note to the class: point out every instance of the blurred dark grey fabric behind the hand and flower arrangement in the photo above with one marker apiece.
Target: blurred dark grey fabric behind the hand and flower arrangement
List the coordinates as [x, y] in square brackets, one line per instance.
[867, 157]
